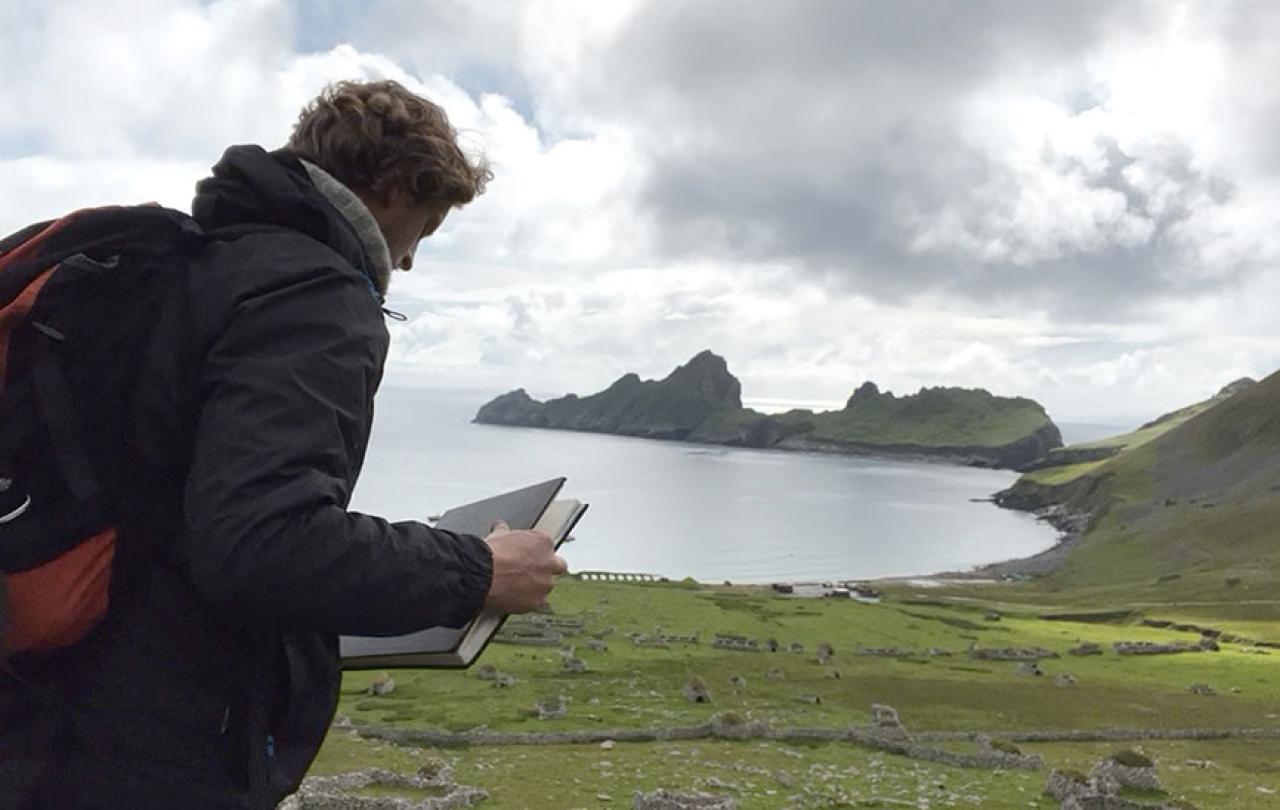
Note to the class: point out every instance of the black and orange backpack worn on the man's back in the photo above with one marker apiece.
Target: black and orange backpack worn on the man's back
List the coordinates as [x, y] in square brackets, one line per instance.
[77, 299]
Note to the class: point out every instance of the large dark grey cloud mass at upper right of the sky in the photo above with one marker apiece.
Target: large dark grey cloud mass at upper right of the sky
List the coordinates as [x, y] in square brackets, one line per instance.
[833, 135]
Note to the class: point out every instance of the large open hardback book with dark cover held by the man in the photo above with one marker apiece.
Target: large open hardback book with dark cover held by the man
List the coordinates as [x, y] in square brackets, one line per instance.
[445, 648]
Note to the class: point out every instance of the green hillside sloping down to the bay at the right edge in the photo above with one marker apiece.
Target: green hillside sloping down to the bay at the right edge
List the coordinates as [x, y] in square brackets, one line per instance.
[1192, 509]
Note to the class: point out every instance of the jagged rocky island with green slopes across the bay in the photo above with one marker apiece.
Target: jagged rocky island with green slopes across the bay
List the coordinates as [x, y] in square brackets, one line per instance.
[702, 402]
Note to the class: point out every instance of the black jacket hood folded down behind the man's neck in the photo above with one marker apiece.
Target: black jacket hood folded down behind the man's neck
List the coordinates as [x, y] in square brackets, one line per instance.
[254, 187]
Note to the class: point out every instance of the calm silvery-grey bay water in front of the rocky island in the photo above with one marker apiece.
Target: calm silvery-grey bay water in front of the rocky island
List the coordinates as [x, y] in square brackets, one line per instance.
[712, 514]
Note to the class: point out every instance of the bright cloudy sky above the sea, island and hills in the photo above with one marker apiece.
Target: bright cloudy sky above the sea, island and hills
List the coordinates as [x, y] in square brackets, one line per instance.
[1072, 202]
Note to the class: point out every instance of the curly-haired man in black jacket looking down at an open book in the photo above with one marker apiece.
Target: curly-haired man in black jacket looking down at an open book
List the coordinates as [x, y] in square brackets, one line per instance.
[214, 678]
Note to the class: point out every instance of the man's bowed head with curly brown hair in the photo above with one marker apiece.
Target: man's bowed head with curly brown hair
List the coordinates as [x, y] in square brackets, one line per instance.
[397, 152]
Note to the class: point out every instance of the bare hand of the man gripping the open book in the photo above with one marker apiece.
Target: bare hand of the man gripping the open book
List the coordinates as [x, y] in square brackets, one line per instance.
[524, 570]
